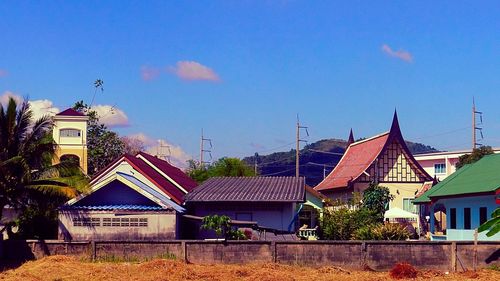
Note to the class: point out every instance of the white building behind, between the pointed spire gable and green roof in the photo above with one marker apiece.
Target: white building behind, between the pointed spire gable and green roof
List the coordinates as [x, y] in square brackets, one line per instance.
[442, 164]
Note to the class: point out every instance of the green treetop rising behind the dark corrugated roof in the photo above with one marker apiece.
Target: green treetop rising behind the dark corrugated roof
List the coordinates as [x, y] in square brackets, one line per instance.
[224, 167]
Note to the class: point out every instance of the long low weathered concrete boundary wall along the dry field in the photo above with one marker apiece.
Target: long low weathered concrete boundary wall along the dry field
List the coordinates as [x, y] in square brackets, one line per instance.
[377, 255]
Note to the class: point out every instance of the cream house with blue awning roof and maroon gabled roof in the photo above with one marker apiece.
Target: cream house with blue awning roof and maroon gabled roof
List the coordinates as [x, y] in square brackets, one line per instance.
[134, 198]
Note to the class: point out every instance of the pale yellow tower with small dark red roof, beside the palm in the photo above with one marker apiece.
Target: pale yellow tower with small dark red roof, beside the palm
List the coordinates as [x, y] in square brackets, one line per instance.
[70, 135]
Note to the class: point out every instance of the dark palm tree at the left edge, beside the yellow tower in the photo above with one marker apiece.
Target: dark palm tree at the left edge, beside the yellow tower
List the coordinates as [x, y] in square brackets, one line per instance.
[27, 175]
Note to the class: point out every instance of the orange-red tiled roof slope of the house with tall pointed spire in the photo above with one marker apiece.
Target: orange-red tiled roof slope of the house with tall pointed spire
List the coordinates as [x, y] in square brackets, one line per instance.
[357, 159]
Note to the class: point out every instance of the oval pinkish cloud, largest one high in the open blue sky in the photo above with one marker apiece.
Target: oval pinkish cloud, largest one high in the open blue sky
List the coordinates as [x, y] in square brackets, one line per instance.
[192, 71]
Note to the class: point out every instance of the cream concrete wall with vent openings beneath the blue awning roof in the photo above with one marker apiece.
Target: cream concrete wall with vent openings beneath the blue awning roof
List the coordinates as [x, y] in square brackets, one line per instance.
[159, 226]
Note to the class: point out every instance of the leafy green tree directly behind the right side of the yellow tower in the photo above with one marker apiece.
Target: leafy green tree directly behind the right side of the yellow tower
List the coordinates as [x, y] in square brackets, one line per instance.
[103, 145]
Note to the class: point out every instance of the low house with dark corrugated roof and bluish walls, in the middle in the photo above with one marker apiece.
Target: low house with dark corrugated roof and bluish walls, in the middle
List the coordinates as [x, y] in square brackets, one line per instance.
[270, 202]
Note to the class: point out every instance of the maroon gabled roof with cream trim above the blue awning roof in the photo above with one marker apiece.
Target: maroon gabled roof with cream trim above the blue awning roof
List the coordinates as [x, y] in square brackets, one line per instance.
[151, 174]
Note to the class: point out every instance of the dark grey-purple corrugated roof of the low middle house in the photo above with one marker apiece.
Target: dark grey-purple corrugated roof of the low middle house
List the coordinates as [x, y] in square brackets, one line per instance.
[249, 189]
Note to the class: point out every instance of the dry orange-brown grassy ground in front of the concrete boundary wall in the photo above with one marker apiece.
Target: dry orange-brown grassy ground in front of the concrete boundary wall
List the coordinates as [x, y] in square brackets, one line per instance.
[59, 268]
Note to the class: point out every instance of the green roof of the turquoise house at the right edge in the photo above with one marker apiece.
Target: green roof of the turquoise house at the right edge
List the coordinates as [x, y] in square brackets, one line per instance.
[480, 177]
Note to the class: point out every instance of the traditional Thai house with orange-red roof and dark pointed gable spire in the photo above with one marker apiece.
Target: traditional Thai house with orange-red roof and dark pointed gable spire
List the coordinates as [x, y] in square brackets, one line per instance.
[383, 159]
